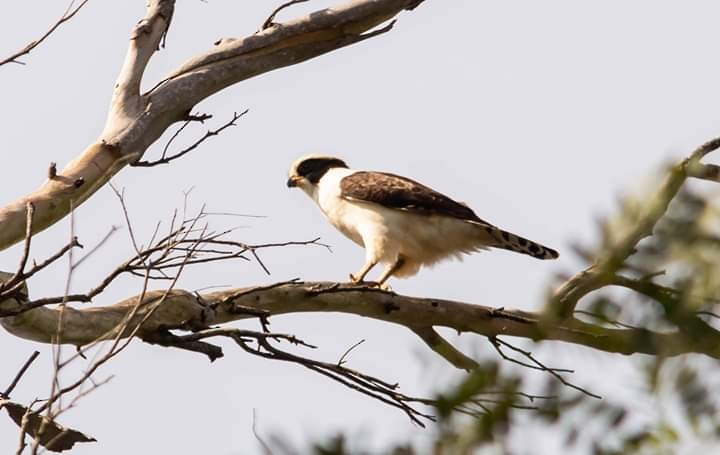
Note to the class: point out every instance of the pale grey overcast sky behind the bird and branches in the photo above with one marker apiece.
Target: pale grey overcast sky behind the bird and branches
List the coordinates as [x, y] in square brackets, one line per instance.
[537, 114]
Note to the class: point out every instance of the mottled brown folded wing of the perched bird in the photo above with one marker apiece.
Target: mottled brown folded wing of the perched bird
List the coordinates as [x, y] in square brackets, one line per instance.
[396, 192]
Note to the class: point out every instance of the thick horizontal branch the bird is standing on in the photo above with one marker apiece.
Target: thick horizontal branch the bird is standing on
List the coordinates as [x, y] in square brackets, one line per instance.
[188, 311]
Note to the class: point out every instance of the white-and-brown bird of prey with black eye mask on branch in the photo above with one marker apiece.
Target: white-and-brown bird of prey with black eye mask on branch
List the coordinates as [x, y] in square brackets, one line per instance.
[400, 222]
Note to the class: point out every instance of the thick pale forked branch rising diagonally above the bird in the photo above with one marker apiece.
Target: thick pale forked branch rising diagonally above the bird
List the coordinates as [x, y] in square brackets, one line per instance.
[136, 121]
